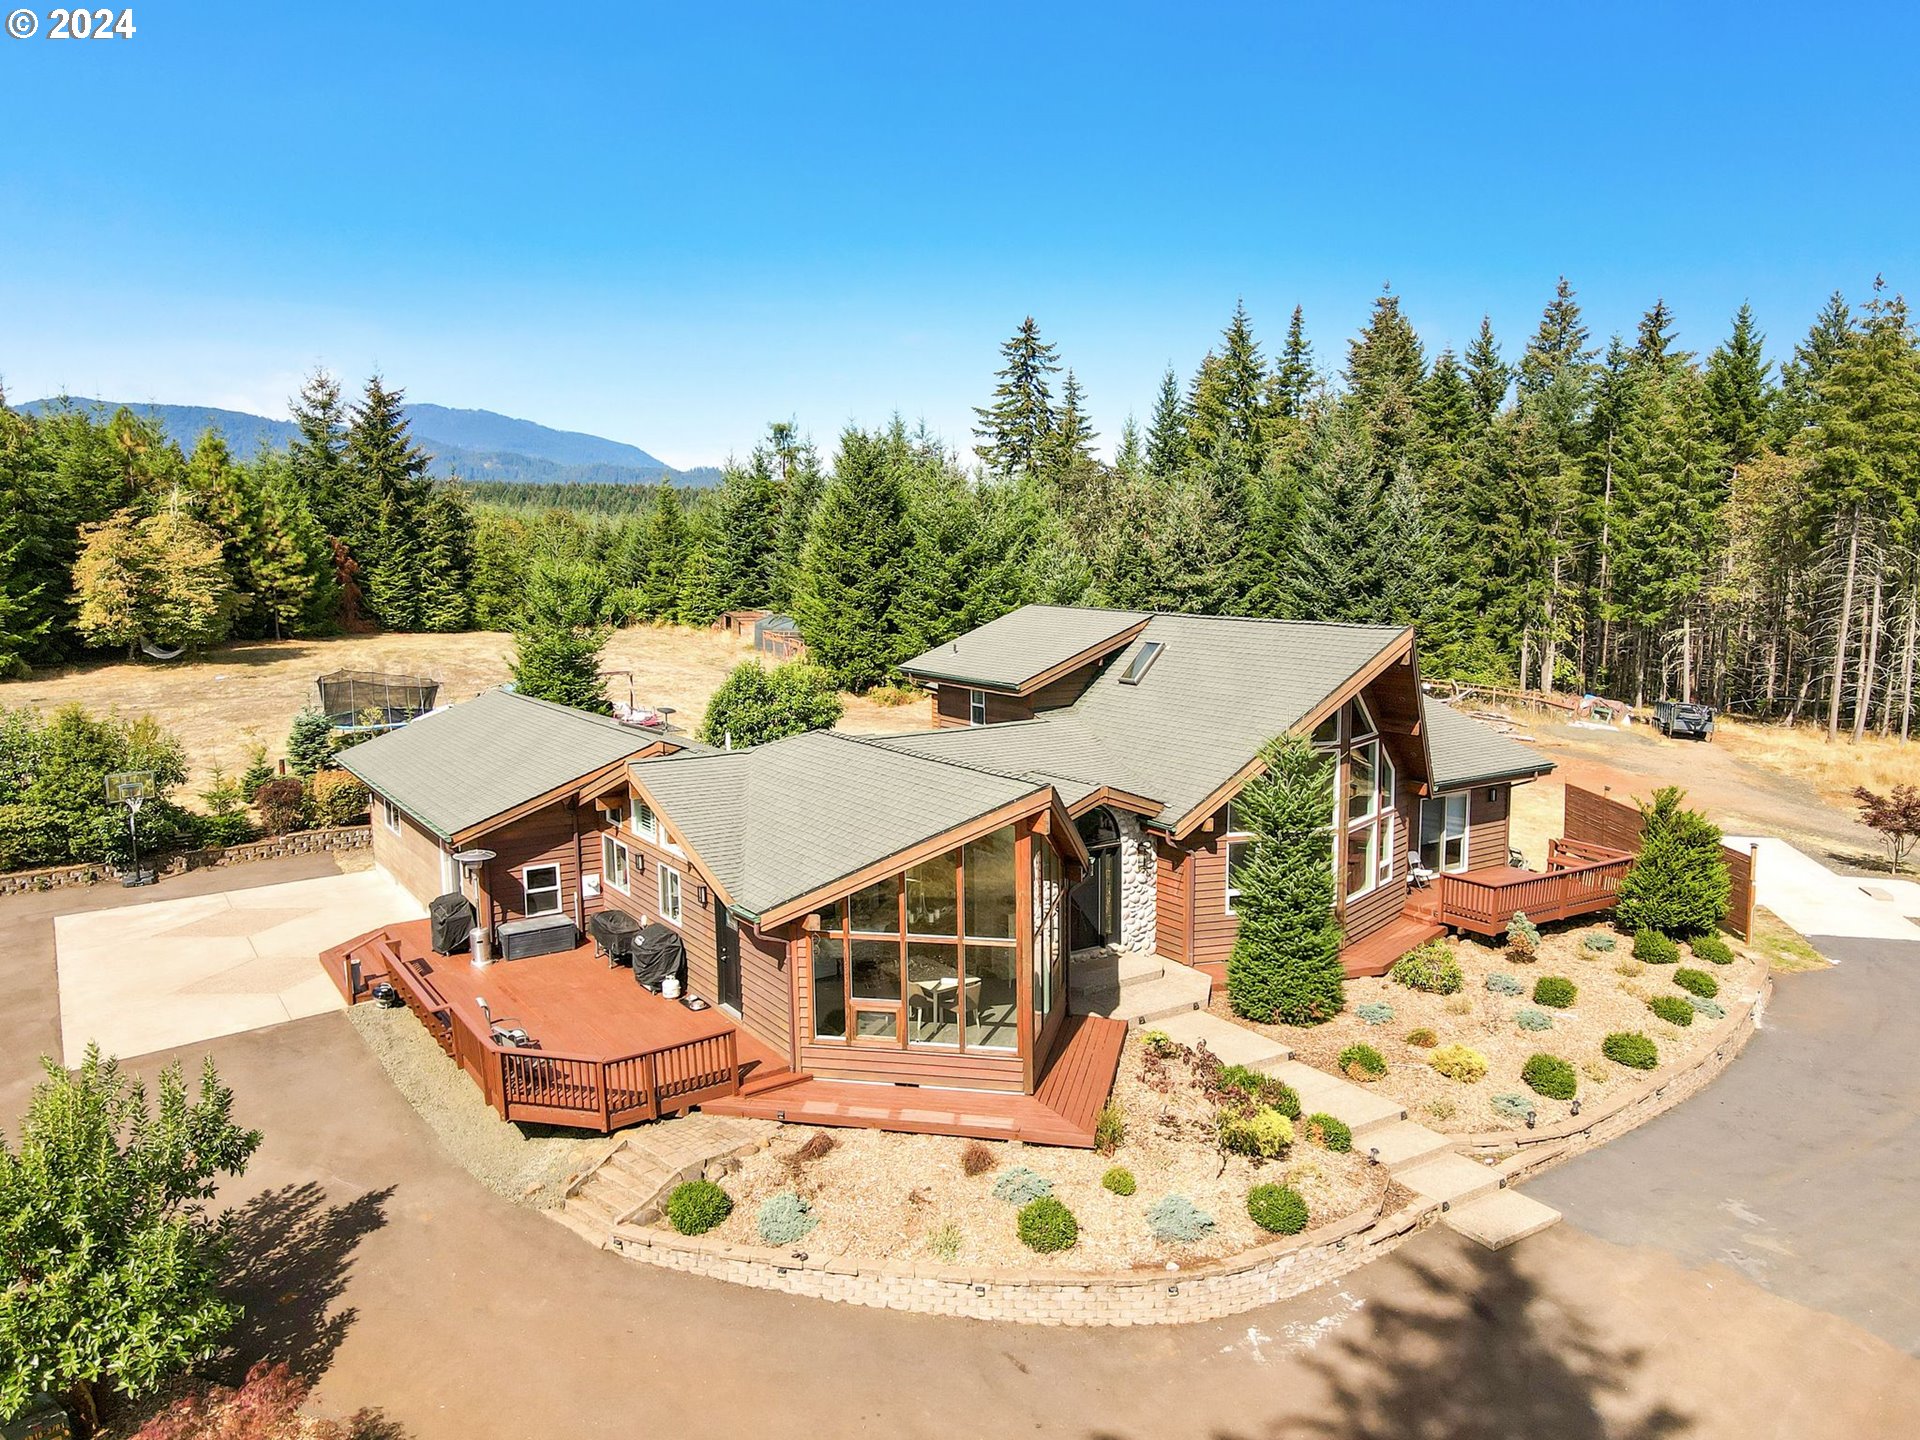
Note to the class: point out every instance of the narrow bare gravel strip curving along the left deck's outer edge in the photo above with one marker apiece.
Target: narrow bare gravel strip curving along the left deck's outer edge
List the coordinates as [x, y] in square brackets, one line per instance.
[527, 1164]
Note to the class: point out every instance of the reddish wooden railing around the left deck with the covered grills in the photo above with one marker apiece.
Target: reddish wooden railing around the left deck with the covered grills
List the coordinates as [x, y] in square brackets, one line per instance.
[565, 1090]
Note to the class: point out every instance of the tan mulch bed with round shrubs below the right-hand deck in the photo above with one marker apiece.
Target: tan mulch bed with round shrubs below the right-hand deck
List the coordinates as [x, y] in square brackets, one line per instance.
[1614, 992]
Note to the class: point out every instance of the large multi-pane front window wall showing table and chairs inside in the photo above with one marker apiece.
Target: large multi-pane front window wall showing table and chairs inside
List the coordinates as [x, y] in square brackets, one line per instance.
[926, 959]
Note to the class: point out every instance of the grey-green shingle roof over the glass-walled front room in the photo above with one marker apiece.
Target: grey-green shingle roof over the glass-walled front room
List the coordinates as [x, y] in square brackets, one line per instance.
[780, 821]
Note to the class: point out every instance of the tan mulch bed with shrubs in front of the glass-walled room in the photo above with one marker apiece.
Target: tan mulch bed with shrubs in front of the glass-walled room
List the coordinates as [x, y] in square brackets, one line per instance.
[905, 1197]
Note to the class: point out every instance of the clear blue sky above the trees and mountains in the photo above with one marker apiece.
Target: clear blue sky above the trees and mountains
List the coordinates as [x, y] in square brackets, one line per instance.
[671, 226]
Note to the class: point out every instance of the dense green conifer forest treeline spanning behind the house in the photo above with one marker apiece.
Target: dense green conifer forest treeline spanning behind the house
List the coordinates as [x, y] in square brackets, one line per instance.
[1625, 517]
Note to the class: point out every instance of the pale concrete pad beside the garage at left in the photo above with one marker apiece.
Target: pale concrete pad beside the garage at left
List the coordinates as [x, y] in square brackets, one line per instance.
[176, 972]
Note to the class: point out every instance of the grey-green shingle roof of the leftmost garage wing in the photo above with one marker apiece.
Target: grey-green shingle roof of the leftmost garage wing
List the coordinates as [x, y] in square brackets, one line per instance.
[473, 761]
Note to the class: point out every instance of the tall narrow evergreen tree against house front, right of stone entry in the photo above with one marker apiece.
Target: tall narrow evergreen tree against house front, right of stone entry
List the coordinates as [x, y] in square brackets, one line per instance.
[1285, 963]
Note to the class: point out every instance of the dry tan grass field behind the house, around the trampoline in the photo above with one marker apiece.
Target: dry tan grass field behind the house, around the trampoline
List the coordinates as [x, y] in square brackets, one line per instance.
[249, 694]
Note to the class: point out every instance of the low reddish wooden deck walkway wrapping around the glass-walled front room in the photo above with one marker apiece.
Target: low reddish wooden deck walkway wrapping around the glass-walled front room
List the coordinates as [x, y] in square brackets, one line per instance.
[1078, 1082]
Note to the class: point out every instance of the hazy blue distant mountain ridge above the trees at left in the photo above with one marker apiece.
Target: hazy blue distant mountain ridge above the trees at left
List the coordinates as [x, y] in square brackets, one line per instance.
[471, 444]
